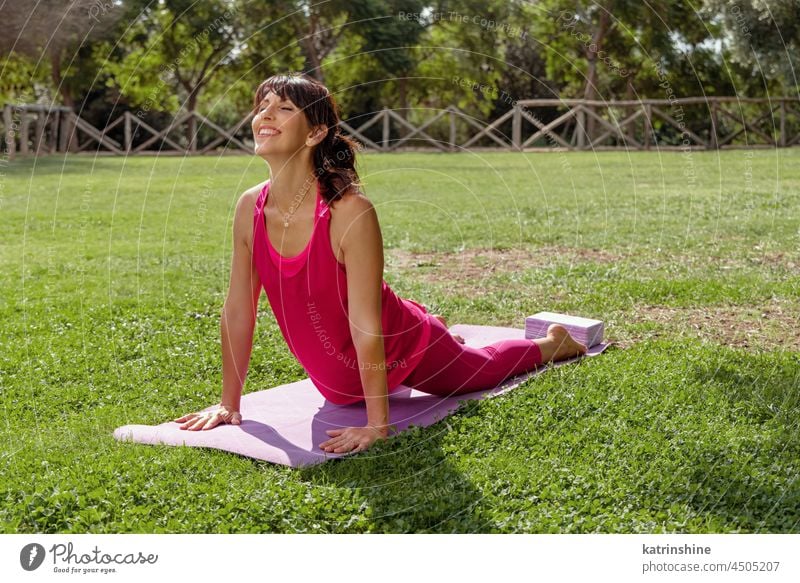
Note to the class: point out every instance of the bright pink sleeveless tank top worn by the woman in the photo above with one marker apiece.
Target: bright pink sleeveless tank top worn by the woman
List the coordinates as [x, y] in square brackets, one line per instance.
[308, 295]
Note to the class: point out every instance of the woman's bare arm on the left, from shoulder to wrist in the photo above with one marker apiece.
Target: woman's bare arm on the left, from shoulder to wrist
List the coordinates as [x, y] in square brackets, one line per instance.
[238, 318]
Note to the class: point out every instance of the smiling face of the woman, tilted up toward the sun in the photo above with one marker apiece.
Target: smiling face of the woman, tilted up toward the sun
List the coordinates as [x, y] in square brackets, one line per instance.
[279, 127]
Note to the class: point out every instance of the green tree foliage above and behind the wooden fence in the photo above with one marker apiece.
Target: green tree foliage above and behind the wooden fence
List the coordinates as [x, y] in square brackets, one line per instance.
[166, 56]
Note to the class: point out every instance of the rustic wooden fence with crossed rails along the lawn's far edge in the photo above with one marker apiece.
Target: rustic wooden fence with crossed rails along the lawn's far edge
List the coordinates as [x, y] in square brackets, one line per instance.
[530, 125]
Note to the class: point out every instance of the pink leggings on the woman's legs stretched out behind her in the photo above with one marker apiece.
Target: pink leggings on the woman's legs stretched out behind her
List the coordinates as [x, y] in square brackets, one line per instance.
[451, 368]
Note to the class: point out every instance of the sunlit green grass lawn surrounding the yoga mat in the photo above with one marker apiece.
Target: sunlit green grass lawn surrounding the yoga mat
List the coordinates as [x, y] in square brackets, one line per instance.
[114, 273]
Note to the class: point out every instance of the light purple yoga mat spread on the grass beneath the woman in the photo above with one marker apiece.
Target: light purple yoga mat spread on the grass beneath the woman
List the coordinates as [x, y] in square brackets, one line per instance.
[286, 424]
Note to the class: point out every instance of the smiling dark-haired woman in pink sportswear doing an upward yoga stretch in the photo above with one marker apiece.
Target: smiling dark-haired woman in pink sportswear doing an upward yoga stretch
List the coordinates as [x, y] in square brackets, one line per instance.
[311, 239]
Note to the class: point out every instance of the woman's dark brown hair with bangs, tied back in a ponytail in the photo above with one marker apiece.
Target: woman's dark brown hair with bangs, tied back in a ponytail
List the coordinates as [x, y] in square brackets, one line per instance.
[335, 156]
